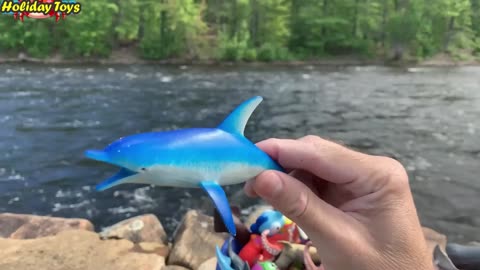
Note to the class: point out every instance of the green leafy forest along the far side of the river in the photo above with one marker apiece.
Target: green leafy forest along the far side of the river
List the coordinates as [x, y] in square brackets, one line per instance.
[253, 30]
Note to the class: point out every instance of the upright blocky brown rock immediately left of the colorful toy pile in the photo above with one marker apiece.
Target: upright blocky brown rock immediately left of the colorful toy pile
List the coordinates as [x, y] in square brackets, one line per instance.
[195, 241]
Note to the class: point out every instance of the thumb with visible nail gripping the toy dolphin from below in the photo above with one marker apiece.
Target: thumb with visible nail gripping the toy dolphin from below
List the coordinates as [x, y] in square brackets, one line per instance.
[294, 199]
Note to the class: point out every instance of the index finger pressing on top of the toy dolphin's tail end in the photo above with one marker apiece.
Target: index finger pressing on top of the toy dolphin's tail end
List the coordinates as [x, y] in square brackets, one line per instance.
[325, 159]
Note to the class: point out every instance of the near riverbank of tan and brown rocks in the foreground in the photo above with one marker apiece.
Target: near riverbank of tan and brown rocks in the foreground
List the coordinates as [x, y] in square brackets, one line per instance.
[43, 242]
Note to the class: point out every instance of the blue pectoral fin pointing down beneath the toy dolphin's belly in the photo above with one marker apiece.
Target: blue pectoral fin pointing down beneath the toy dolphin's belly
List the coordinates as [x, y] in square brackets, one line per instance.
[220, 200]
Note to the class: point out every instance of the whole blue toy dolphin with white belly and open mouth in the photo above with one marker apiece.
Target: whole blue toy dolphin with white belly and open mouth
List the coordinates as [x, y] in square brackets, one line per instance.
[189, 158]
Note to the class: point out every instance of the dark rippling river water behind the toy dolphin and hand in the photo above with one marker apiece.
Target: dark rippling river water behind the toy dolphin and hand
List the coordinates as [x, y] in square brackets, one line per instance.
[428, 118]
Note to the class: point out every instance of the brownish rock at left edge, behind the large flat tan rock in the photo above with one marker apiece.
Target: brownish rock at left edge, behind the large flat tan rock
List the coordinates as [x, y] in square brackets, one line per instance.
[19, 226]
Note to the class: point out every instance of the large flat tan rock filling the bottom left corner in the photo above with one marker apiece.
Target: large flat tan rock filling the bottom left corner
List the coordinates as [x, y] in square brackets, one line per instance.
[75, 250]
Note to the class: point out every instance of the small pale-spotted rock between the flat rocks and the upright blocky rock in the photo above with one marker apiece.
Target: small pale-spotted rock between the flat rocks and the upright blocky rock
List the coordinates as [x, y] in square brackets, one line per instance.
[145, 228]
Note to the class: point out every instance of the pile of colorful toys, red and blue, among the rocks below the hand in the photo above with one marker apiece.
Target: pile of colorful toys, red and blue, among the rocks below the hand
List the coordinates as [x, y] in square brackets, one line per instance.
[272, 242]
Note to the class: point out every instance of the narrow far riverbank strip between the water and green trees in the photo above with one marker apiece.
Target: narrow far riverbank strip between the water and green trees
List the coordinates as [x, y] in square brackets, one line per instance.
[127, 56]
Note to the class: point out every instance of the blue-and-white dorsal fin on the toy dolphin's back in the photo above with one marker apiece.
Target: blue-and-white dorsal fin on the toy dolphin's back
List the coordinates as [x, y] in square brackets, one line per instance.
[237, 120]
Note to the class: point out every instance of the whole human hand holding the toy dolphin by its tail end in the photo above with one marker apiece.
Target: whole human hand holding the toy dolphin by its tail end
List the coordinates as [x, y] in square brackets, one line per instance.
[357, 209]
